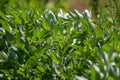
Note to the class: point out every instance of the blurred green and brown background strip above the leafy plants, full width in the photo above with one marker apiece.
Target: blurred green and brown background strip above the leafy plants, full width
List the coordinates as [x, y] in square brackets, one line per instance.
[95, 6]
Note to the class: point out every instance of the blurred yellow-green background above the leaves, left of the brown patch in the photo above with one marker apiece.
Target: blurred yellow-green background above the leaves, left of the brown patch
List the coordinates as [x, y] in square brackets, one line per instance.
[40, 5]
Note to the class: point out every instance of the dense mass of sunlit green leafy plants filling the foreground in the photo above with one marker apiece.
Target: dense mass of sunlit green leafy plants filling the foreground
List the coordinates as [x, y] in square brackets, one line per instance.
[58, 46]
